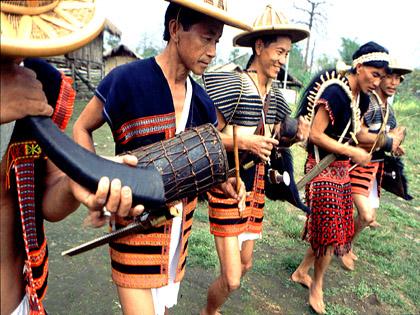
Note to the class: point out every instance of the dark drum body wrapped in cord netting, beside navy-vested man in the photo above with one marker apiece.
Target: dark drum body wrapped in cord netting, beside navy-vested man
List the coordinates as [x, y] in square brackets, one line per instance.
[190, 163]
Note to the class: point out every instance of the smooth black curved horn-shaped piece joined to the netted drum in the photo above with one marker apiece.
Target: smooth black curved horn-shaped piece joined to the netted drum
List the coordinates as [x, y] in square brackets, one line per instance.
[87, 168]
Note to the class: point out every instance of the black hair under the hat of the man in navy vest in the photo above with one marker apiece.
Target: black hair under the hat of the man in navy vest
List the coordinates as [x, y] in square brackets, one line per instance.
[186, 17]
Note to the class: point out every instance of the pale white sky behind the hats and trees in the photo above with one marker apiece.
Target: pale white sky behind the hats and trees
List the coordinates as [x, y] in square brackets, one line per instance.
[393, 24]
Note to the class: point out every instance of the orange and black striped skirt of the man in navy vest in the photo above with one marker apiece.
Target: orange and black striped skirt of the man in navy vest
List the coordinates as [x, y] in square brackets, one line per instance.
[141, 260]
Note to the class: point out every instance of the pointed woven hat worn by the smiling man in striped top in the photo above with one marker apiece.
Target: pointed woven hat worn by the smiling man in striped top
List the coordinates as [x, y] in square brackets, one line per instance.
[271, 23]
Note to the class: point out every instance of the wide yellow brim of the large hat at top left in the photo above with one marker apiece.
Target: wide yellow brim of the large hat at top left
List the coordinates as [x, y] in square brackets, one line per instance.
[76, 35]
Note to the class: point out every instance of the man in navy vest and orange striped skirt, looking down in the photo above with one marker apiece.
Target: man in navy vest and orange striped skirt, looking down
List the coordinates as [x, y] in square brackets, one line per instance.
[144, 102]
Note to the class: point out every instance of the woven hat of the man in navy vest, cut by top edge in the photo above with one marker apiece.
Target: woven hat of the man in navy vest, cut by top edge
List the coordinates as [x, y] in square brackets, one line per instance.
[216, 9]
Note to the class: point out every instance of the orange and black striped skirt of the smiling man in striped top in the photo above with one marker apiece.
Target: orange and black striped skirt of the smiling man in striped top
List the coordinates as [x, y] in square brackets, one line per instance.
[224, 216]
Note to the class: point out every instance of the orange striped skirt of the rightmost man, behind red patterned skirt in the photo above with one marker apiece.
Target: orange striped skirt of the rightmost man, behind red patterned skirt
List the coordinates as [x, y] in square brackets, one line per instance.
[362, 178]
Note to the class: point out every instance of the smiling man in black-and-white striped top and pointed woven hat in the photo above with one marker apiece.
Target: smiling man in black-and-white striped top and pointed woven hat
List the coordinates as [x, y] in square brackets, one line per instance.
[252, 101]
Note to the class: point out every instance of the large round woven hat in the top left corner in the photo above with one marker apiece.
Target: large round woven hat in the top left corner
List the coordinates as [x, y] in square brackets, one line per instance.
[40, 28]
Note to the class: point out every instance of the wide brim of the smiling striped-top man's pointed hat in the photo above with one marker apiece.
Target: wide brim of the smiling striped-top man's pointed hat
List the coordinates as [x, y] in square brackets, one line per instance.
[295, 32]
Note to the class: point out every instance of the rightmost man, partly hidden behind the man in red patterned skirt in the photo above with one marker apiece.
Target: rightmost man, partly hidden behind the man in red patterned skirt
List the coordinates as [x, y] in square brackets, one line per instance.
[386, 137]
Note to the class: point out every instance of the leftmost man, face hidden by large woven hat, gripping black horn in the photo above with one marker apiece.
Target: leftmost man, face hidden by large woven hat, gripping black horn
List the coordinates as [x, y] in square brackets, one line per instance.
[32, 187]
